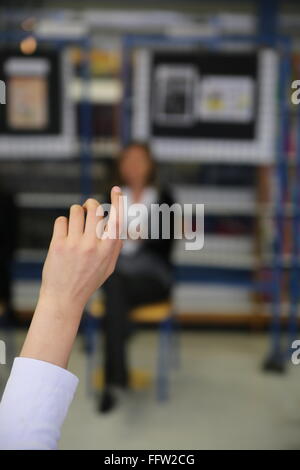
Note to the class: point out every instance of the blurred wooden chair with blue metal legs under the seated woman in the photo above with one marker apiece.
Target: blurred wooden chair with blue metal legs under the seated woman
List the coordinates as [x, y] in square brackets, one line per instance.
[168, 345]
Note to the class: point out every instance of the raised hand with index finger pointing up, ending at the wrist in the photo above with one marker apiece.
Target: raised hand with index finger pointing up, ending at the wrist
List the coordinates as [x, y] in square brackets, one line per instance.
[78, 262]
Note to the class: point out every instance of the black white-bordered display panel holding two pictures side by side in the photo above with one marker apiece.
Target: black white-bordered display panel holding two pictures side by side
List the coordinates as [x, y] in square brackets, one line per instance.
[206, 106]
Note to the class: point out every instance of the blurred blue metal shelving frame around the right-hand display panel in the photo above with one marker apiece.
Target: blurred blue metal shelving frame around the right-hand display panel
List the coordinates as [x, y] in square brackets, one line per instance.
[267, 36]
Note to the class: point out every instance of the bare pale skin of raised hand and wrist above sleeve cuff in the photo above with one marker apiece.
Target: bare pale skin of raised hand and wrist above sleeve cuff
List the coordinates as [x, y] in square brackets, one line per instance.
[77, 264]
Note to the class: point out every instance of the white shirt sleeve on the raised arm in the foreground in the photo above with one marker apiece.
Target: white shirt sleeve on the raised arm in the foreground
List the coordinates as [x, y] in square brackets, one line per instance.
[34, 404]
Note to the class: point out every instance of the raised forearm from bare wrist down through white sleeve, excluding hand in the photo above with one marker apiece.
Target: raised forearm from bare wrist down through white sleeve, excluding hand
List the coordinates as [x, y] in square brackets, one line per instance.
[38, 393]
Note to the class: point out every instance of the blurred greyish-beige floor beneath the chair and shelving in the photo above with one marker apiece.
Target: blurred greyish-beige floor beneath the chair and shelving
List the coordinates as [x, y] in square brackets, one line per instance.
[220, 399]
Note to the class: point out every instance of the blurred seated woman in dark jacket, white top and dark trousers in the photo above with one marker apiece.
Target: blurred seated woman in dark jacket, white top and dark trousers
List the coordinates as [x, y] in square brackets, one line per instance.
[143, 273]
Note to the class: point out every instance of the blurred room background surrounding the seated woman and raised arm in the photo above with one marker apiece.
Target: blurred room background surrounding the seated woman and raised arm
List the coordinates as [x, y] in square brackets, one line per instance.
[208, 85]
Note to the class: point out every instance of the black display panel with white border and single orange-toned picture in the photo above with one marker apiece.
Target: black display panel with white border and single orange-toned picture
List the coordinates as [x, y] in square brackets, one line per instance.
[38, 118]
